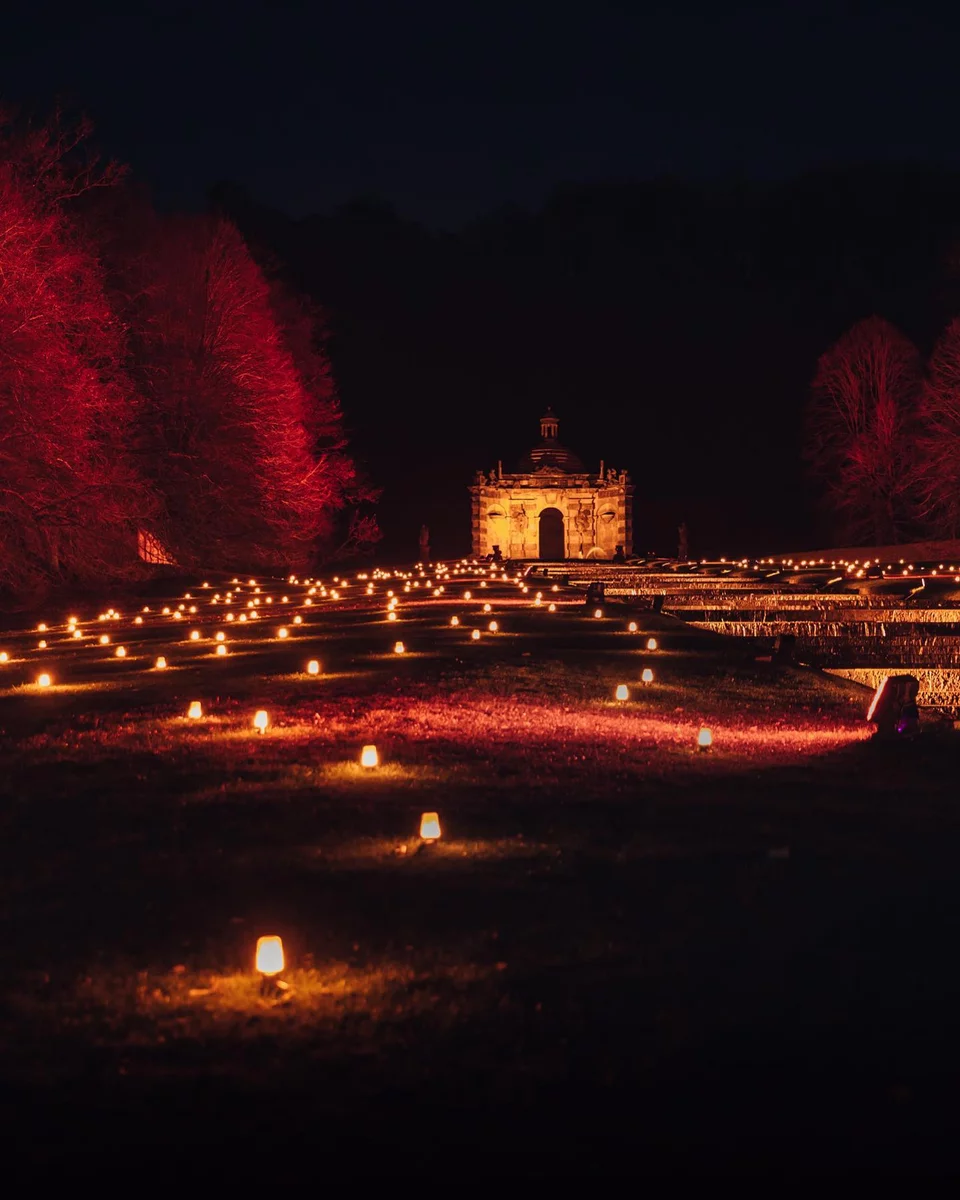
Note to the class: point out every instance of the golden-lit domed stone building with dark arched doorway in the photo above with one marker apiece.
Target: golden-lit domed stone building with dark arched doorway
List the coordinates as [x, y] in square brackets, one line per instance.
[553, 508]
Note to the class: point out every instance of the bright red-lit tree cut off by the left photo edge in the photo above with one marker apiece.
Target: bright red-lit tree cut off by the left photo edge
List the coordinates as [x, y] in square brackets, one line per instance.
[70, 502]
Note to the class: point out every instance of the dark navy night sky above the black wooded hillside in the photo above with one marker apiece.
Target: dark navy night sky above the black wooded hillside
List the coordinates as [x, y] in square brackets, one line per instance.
[452, 110]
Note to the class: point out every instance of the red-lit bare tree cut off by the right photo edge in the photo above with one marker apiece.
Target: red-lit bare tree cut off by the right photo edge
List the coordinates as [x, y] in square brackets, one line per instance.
[939, 442]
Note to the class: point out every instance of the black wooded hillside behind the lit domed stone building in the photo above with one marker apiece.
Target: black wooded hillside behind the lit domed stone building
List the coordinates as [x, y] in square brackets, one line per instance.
[675, 328]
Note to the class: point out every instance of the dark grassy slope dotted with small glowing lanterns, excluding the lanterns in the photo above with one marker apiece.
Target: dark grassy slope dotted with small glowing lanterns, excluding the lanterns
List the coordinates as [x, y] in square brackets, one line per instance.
[625, 957]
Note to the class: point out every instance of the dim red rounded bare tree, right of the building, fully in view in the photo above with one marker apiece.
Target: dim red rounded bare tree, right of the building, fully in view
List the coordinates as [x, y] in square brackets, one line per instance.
[861, 429]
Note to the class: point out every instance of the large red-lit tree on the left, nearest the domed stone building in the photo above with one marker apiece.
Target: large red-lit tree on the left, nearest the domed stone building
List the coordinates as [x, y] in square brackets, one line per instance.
[244, 448]
